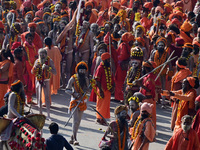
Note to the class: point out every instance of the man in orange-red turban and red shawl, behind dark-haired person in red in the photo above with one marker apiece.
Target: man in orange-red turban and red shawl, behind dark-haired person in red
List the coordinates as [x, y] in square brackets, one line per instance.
[36, 38]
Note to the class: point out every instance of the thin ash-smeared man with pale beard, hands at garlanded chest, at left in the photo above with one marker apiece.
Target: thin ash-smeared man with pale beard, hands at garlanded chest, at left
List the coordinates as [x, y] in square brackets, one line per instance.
[42, 69]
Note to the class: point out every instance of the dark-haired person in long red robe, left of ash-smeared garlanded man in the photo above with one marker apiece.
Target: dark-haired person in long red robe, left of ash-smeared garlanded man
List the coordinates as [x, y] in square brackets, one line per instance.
[32, 54]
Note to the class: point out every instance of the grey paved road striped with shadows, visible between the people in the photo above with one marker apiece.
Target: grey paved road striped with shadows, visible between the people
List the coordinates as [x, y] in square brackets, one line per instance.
[90, 133]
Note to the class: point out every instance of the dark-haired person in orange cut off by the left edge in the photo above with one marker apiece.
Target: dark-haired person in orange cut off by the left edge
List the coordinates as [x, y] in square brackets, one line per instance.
[6, 70]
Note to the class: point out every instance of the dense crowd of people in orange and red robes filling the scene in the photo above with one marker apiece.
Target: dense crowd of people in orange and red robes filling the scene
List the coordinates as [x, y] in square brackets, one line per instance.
[140, 53]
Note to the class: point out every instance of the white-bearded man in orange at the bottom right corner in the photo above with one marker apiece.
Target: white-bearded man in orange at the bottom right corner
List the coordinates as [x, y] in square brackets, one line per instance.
[185, 138]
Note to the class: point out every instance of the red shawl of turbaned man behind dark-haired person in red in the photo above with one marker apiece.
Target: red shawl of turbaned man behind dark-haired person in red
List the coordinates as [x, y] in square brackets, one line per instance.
[36, 41]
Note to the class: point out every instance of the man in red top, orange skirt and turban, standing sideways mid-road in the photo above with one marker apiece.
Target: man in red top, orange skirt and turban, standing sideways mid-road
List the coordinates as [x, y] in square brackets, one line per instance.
[104, 80]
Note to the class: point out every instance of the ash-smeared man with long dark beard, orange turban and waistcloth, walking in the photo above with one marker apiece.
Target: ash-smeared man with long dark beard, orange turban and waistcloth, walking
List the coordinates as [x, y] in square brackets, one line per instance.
[77, 86]
